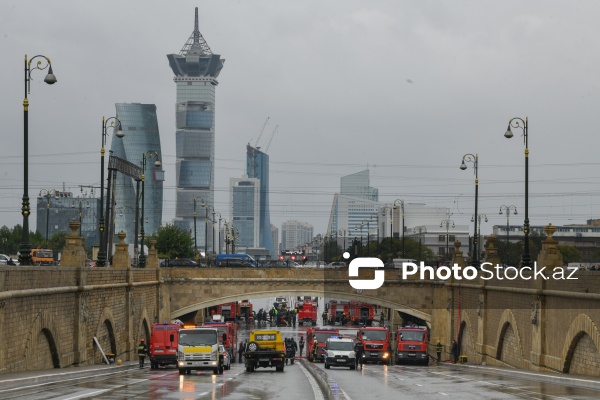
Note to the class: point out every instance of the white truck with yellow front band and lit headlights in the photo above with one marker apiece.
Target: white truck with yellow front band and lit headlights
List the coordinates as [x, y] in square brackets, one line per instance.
[198, 349]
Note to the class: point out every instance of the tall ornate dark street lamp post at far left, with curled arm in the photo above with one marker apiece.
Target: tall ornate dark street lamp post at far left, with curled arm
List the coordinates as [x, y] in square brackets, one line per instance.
[25, 245]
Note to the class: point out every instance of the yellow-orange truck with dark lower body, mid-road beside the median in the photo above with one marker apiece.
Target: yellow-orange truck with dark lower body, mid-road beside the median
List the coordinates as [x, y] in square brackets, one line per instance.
[265, 348]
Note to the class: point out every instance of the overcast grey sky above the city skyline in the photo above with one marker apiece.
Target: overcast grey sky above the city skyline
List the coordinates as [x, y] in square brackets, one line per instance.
[404, 88]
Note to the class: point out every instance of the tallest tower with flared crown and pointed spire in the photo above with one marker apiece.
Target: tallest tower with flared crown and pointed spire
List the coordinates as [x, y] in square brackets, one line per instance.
[196, 69]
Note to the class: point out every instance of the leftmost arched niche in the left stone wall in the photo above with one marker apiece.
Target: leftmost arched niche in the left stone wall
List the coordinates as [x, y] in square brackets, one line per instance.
[41, 346]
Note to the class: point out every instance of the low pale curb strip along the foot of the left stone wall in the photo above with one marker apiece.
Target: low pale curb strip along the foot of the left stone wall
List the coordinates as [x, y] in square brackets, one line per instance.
[29, 377]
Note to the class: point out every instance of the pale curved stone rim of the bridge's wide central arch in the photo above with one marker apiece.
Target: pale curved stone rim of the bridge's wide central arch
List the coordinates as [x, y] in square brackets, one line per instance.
[302, 292]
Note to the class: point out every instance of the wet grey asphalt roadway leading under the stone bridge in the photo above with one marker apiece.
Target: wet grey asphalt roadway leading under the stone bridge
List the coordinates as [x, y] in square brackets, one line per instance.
[295, 383]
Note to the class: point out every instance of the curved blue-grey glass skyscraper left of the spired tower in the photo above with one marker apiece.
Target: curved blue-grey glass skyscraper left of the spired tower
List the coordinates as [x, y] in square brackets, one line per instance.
[140, 125]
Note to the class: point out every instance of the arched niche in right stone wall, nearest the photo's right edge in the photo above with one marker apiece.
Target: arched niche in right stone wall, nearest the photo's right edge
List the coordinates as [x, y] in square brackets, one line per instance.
[582, 332]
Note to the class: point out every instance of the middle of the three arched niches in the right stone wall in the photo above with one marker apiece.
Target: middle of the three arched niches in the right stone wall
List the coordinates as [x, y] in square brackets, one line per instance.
[509, 348]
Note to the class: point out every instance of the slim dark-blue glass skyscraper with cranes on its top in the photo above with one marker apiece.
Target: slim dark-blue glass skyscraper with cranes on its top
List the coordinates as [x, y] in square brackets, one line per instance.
[257, 166]
